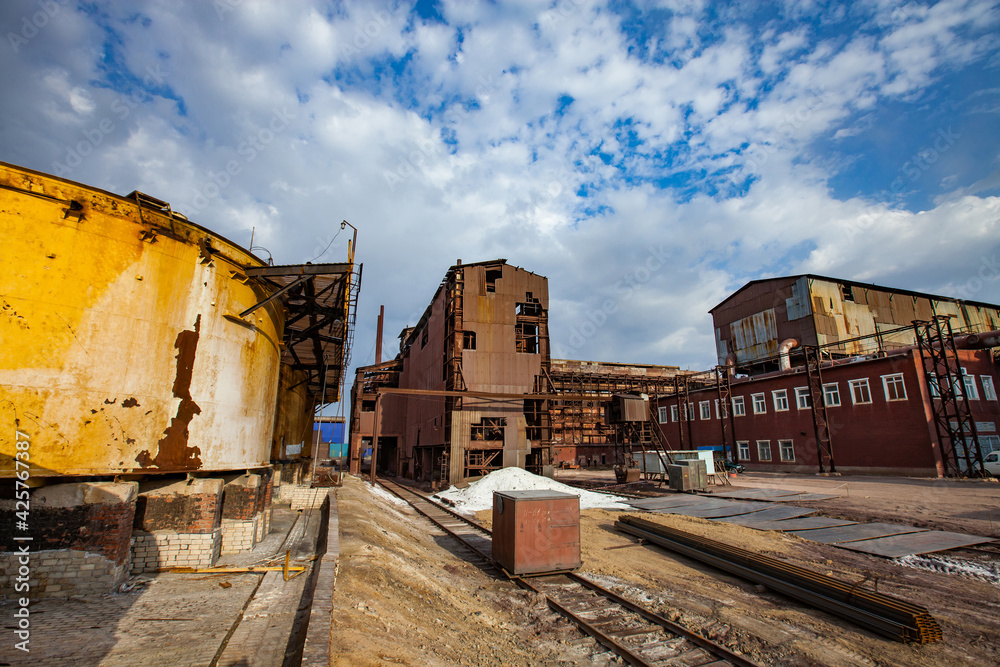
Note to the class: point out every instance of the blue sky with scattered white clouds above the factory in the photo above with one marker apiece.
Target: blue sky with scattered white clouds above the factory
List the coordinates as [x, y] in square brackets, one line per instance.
[650, 155]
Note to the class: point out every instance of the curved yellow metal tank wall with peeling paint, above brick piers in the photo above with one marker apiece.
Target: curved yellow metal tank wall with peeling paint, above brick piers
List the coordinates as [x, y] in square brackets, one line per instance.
[119, 352]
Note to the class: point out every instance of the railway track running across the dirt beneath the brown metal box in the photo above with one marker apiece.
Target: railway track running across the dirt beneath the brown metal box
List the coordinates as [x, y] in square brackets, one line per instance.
[637, 635]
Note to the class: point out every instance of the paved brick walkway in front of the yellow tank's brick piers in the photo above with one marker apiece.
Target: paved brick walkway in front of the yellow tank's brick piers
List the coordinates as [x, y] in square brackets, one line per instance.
[181, 619]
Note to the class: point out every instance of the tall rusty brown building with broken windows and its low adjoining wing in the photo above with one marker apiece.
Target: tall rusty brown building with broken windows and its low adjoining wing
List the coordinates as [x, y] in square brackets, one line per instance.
[474, 388]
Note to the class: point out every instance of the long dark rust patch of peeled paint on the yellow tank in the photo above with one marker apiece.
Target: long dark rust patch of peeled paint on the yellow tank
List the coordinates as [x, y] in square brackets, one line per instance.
[173, 452]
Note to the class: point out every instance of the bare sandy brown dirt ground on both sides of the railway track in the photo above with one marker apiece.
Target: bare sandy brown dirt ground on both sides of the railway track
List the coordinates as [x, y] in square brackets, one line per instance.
[406, 595]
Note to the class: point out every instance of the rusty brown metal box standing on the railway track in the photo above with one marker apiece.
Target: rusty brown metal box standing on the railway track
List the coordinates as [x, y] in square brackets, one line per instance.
[536, 531]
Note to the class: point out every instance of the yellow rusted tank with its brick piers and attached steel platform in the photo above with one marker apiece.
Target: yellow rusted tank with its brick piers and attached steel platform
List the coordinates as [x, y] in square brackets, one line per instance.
[158, 381]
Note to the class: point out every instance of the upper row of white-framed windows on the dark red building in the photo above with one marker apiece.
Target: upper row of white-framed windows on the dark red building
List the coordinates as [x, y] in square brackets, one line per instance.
[860, 392]
